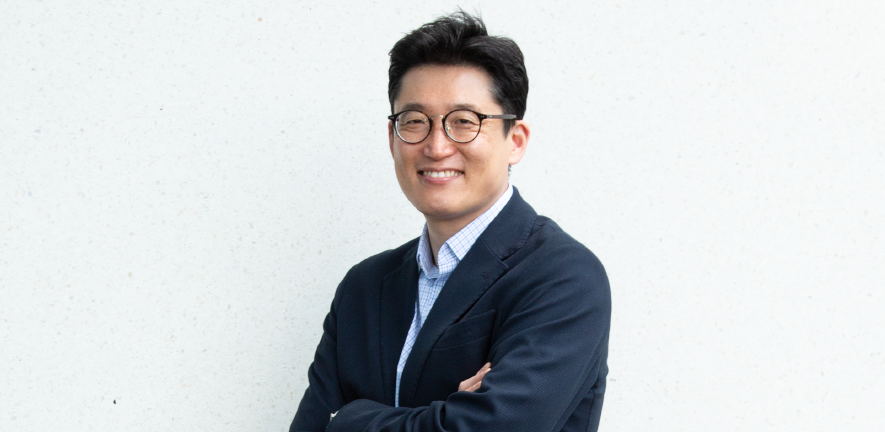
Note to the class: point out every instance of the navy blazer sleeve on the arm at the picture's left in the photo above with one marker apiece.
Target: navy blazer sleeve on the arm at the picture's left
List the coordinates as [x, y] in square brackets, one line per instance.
[323, 395]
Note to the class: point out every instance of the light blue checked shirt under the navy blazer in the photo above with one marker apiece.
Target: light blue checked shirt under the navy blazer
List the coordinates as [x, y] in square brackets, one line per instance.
[431, 278]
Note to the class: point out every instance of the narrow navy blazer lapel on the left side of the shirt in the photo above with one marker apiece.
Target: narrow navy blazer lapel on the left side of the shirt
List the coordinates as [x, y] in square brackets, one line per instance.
[398, 294]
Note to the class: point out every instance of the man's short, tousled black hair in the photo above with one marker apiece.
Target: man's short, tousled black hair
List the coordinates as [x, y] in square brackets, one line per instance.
[462, 39]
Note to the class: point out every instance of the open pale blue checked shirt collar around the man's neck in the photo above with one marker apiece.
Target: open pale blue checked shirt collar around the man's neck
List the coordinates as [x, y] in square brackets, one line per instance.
[460, 243]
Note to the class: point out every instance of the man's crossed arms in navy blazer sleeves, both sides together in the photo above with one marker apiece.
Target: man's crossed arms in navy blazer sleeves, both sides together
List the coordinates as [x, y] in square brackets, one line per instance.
[549, 355]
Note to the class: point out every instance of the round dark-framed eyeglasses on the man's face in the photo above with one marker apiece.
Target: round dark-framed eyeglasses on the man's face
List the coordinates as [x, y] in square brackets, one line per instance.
[461, 126]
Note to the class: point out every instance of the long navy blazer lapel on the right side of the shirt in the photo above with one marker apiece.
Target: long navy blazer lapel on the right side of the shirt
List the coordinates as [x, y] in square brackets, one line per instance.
[481, 267]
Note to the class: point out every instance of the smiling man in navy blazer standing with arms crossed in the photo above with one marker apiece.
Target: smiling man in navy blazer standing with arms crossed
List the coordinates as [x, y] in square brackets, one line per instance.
[493, 319]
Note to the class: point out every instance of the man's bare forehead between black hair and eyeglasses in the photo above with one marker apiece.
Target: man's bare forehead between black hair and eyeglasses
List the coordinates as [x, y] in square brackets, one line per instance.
[441, 88]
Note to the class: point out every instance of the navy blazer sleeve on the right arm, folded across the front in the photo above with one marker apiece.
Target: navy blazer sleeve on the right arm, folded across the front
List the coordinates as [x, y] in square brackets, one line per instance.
[547, 355]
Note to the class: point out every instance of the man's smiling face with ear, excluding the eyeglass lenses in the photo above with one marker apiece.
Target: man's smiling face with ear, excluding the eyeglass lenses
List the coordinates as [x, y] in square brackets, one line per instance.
[445, 180]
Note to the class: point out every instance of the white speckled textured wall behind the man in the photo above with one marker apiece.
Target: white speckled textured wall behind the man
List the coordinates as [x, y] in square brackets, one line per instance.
[183, 184]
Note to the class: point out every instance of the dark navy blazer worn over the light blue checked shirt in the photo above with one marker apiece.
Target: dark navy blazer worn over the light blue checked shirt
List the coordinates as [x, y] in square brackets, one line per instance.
[527, 297]
